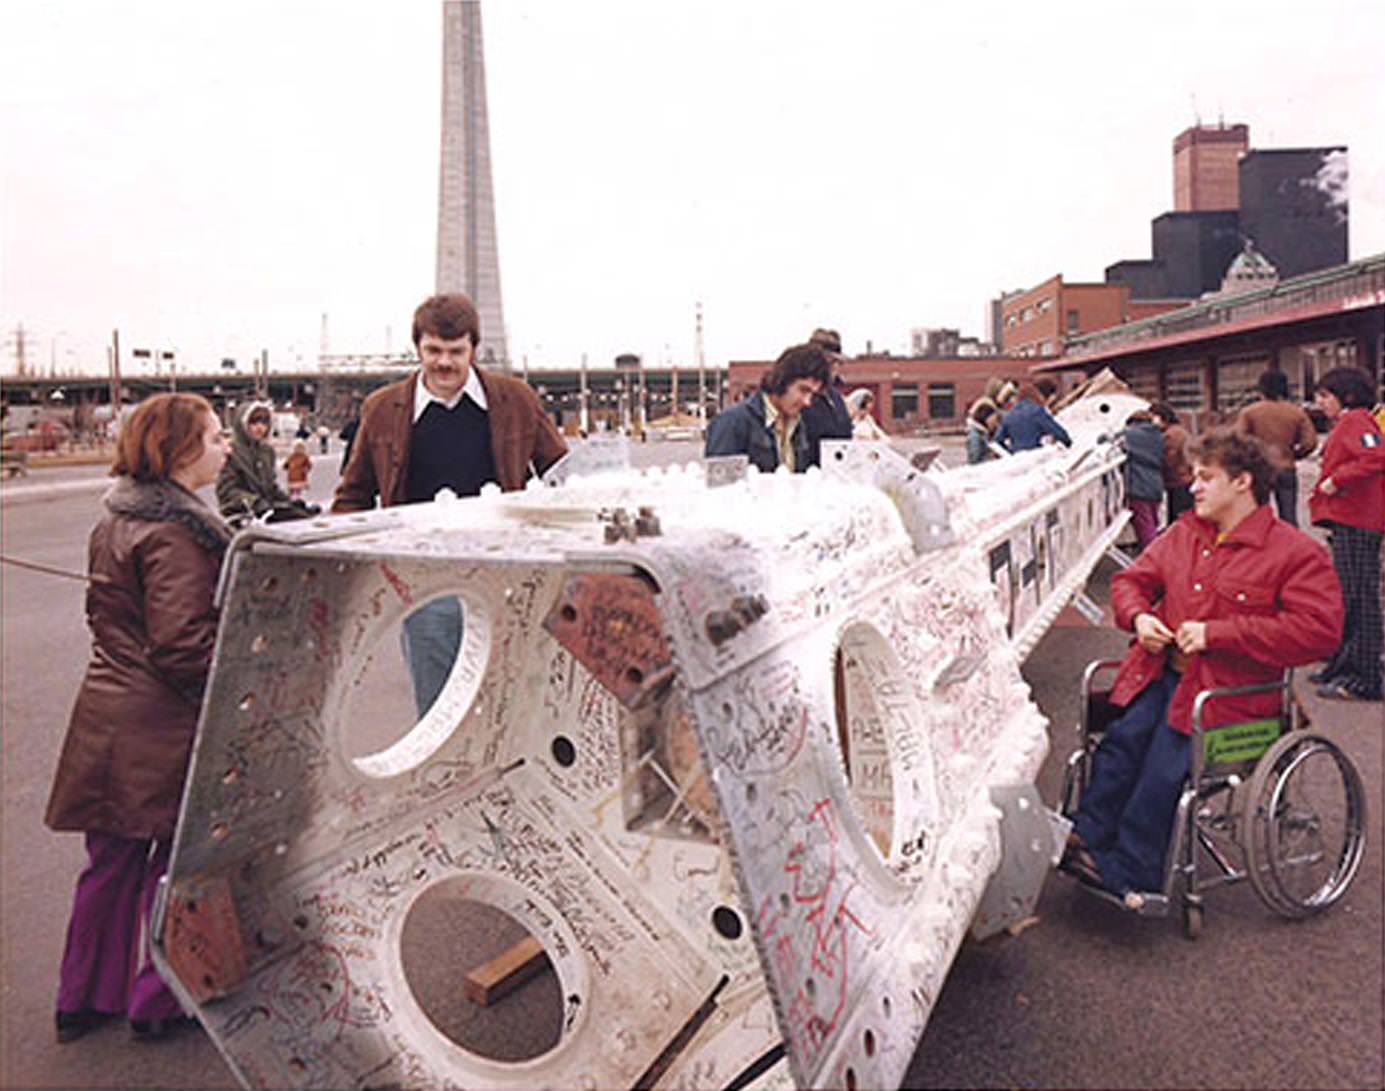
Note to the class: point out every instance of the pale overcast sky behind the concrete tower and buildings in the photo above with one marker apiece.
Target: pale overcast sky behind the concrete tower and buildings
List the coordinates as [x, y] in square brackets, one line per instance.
[214, 178]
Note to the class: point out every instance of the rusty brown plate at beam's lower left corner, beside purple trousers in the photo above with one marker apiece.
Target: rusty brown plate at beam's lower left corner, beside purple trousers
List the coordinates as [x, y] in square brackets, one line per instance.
[203, 938]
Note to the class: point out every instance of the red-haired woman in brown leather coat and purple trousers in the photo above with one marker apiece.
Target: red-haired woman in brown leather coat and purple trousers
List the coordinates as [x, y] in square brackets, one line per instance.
[153, 566]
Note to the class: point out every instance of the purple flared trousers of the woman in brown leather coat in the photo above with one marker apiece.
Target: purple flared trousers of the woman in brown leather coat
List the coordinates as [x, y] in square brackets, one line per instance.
[106, 964]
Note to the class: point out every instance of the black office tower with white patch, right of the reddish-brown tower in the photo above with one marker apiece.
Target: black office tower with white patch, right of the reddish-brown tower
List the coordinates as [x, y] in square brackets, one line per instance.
[1294, 207]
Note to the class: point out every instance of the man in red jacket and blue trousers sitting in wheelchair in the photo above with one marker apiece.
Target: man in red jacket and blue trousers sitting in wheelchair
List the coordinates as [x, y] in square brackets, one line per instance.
[1226, 596]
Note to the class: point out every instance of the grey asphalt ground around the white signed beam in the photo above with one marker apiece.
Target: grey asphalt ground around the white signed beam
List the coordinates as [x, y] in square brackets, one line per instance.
[1088, 998]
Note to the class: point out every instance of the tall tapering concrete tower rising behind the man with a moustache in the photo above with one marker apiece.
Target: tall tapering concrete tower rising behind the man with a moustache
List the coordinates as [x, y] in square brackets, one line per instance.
[469, 257]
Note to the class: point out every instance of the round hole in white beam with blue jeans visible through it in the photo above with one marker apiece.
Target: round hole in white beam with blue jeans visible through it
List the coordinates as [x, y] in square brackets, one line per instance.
[415, 685]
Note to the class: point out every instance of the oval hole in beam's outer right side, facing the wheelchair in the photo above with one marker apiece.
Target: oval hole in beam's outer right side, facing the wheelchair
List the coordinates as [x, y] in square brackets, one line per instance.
[868, 733]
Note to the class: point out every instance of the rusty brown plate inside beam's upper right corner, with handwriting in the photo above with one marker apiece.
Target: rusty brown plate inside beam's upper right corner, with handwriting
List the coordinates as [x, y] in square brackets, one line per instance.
[611, 625]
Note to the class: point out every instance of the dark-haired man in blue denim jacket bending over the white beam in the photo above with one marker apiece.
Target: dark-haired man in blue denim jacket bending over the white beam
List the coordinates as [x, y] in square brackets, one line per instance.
[768, 427]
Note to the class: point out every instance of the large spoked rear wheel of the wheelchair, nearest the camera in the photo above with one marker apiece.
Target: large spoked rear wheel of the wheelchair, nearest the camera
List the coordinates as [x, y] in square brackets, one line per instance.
[1304, 824]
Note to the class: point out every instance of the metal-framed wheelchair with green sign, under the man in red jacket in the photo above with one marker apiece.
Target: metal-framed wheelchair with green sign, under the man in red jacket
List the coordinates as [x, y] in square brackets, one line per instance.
[1267, 801]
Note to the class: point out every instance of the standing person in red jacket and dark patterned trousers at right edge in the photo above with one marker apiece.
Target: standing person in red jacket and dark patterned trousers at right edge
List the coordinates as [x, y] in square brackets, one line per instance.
[1350, 501]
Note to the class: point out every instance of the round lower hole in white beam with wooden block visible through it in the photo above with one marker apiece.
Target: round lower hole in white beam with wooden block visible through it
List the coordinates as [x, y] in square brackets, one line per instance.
[462, 924]
